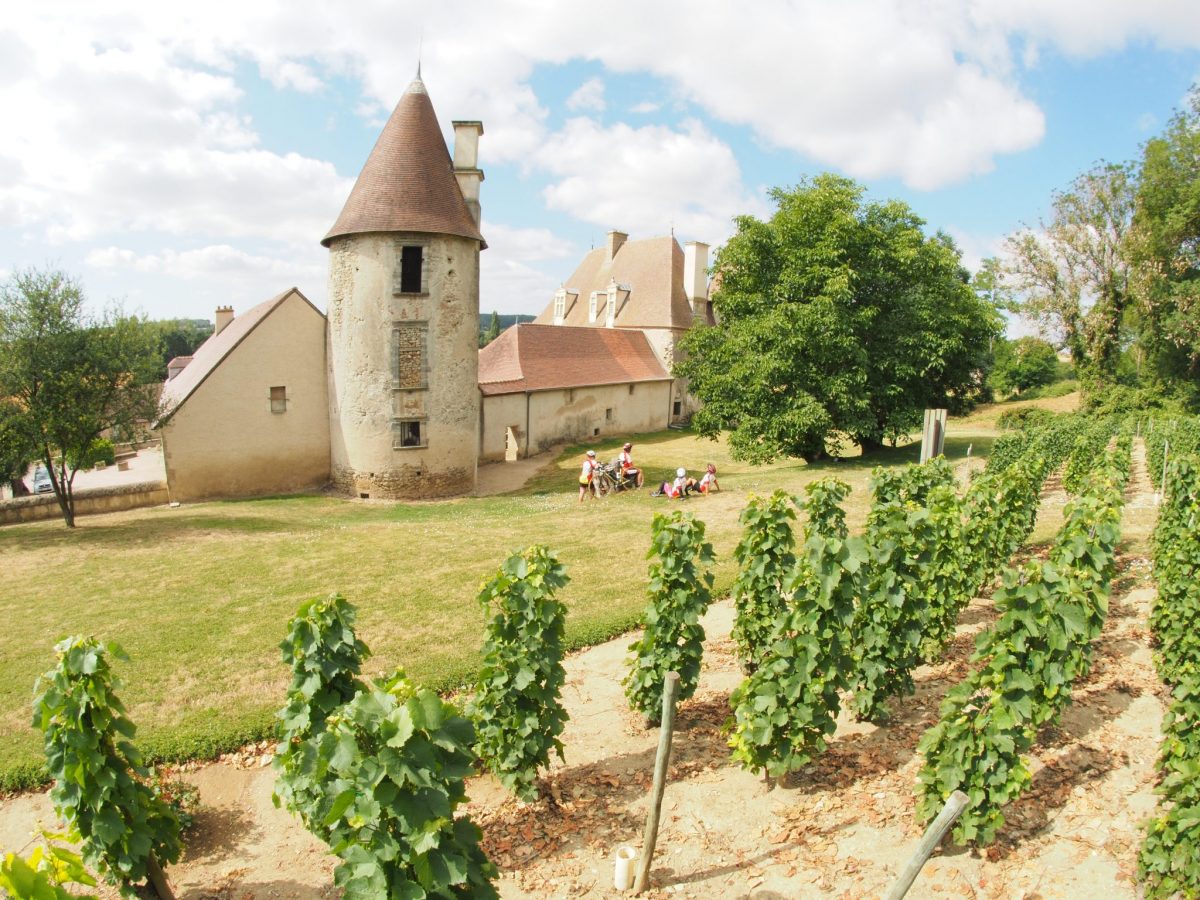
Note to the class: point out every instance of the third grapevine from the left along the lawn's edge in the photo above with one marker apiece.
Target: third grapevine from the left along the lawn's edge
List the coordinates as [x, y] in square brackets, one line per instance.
[517, 710]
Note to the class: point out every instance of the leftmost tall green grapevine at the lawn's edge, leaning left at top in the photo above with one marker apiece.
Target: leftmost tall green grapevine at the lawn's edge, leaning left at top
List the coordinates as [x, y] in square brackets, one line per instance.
[99, 776]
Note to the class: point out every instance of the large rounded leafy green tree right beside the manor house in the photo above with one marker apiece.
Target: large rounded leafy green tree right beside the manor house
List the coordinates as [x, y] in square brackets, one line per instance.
[837, 317]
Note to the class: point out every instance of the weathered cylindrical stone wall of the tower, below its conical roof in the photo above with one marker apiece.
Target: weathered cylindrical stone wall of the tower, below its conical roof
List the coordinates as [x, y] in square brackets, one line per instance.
[403, 358]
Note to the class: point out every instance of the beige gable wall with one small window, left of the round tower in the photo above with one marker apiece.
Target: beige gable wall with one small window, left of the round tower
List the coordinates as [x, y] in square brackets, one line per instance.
[226, 442]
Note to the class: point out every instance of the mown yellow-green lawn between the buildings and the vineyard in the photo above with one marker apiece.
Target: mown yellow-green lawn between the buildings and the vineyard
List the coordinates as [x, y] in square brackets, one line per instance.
[200, 596]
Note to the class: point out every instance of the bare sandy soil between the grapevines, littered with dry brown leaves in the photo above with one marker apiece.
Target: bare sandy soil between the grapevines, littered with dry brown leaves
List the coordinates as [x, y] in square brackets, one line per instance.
[843, 827]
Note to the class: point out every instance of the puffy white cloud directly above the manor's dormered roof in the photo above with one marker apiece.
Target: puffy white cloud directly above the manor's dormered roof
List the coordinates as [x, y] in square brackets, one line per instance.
[646, 181]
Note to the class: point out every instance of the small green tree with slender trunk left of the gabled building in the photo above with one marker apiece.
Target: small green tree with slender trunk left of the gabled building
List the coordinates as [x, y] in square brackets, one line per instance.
[75, 376]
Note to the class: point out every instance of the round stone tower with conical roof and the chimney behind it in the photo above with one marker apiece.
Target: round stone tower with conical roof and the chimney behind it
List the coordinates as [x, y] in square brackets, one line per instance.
[404, 314]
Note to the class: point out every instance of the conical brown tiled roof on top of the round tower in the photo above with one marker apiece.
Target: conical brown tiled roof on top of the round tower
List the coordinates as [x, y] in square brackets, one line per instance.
[409, 183]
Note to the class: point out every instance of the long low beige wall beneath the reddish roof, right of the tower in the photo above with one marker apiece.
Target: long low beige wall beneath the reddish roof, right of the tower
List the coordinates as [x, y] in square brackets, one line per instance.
[563, 416]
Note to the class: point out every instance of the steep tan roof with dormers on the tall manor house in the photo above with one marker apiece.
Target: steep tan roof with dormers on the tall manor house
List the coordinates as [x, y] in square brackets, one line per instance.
[652, 269]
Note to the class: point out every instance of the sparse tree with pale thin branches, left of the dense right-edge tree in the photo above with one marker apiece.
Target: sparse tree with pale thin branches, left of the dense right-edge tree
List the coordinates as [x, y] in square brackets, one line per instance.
[1073, 272]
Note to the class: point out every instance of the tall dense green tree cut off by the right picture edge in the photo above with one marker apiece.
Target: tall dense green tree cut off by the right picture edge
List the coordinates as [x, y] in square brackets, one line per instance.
[1166, 249]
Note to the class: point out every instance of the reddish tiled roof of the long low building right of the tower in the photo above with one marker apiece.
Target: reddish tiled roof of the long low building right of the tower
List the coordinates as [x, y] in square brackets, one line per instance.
[533, 358]
